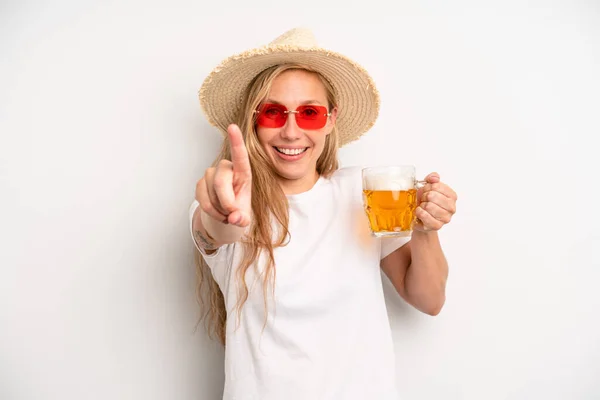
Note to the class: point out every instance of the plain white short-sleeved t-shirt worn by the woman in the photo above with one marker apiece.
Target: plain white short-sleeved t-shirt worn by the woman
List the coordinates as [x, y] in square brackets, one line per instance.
[327, 334]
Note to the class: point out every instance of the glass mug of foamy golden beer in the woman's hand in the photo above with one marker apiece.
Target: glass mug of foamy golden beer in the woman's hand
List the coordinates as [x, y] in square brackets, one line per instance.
[390, 199]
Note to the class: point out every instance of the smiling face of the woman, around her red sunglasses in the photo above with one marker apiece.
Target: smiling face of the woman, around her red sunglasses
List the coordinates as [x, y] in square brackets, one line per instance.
[294, 151]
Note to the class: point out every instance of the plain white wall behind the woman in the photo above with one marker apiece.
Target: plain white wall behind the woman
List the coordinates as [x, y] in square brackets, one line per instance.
[102, 141]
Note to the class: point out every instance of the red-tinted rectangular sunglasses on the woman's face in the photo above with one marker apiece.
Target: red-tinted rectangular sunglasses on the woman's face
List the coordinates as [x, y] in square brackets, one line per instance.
[307, 117]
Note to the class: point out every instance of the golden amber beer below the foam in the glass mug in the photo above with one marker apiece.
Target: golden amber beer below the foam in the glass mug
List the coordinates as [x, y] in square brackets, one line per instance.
[390, 210]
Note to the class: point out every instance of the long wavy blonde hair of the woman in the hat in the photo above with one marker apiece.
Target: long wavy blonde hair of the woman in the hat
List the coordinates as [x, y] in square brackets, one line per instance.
[269, 203]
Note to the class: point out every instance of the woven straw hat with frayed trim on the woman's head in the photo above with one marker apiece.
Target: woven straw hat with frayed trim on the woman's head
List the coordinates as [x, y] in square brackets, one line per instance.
[358, 98]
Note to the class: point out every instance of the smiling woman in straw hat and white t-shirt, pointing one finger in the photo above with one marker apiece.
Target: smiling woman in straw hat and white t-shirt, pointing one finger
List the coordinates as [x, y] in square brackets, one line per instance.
[291, 270]
